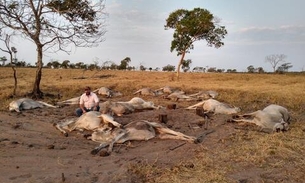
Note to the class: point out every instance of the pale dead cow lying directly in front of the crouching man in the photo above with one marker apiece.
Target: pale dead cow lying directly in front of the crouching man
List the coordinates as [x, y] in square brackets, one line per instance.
[88, 121]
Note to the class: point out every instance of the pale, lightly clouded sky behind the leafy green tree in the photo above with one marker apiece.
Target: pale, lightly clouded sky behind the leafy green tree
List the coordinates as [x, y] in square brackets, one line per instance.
[256, 29]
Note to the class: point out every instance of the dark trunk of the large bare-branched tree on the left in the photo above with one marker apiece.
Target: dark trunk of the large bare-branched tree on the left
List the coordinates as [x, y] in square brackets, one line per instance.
[36, 92]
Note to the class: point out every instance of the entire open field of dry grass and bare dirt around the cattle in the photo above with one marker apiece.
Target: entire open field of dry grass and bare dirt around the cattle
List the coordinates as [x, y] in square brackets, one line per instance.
[233, 153]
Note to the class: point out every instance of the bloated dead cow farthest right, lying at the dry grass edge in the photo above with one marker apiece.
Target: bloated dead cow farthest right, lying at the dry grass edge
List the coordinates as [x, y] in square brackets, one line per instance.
[272, 117]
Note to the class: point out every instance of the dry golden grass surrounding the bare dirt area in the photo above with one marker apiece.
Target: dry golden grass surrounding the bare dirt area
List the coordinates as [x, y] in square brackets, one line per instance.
[245, 155]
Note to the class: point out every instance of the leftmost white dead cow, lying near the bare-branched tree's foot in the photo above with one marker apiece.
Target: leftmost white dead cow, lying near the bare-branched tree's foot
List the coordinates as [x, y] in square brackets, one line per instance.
[27, 103]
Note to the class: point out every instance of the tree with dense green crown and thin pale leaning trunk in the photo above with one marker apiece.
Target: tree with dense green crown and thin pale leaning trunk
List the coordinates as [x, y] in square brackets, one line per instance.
[194, 25]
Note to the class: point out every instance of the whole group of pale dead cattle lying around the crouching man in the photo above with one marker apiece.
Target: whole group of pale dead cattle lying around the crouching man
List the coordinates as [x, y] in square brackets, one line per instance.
[107, 131]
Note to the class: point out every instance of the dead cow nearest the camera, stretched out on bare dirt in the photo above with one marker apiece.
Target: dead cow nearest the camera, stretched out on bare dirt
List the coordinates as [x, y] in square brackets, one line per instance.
[138, 130]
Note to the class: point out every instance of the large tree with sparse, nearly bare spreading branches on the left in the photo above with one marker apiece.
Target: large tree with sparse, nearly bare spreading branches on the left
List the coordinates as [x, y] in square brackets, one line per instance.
[54, 25]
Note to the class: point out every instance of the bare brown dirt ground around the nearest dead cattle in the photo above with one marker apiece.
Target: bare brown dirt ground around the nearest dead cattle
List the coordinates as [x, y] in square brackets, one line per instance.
[32, 150]
